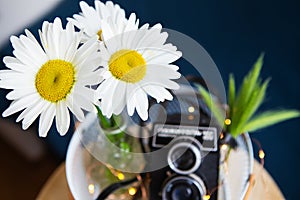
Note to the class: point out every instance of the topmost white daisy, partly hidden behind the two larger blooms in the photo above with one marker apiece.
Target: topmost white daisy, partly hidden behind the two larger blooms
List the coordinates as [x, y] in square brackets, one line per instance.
[93, 19]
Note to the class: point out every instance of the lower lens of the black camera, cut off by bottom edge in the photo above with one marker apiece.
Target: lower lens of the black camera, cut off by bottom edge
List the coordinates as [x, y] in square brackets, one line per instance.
[184, 187]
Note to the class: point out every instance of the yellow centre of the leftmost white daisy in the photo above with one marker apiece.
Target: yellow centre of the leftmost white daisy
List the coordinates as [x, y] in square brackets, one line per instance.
[55, 80]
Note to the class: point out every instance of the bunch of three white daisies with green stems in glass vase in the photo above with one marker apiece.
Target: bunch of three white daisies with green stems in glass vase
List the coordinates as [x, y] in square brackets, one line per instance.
[101, 62]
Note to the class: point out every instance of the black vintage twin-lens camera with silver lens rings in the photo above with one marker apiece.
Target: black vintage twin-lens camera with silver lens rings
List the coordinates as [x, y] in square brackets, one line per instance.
[190, 140]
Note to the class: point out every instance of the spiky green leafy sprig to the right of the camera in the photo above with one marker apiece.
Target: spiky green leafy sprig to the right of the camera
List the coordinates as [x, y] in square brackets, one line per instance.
[243, 105]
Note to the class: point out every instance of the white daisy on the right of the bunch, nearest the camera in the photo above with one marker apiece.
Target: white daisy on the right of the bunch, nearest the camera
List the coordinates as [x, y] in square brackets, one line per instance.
[137, 64]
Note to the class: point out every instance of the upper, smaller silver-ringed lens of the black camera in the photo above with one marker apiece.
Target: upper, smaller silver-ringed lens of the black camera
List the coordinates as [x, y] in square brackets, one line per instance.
[184, 157]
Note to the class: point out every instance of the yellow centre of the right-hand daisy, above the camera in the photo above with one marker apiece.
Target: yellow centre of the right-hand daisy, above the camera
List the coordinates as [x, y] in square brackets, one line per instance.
[127, 65]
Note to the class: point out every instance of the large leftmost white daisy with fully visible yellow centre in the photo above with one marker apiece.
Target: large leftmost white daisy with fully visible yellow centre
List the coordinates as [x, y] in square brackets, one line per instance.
[51, 79]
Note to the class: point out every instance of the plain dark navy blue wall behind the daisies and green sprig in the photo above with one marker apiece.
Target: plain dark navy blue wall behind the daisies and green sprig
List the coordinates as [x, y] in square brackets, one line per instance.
[233, 33]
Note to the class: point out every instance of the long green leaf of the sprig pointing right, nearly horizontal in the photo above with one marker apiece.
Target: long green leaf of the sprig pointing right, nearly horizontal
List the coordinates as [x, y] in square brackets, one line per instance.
[269, 118]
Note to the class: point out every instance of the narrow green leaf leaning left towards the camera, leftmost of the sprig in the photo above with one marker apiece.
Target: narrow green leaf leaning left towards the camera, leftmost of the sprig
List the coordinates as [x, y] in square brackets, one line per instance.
[218, 112]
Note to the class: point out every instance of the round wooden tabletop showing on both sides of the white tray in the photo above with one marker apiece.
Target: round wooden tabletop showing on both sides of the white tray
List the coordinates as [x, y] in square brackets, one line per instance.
[263, 187]
